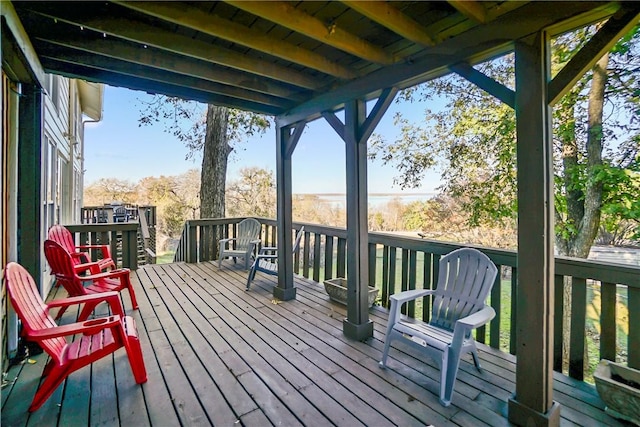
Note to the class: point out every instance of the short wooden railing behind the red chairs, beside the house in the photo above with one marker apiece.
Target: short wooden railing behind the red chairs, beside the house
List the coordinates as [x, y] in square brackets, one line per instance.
[122, 239]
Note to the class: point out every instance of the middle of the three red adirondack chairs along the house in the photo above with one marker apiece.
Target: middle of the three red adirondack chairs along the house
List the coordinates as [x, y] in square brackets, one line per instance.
[65, 273]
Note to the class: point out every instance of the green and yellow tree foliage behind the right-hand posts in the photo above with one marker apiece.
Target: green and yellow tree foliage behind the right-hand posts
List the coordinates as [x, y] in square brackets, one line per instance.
[472, 141]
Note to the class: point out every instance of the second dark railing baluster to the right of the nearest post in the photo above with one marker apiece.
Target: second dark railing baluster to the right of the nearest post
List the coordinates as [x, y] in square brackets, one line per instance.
[578, 317]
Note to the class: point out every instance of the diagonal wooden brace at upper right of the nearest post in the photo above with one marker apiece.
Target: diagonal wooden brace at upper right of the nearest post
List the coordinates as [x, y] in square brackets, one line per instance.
[617, 26]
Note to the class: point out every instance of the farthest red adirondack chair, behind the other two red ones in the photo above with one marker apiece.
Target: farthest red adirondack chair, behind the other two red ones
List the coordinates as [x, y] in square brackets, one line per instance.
[79, 255]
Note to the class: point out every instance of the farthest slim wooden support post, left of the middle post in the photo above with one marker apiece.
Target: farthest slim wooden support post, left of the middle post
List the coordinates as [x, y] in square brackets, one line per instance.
[285, 143]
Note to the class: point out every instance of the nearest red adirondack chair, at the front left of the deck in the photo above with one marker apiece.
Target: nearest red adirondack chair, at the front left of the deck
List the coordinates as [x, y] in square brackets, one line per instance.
[96, 338]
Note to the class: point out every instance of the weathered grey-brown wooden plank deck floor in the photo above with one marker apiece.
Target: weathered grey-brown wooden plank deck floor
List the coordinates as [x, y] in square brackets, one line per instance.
[218, 355]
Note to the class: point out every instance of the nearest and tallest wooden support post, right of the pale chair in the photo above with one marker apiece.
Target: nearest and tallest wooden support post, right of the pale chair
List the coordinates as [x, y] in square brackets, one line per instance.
[533, 403]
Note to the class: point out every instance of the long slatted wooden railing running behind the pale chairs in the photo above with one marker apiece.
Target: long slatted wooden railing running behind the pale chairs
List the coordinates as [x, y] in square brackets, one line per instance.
[398, 263]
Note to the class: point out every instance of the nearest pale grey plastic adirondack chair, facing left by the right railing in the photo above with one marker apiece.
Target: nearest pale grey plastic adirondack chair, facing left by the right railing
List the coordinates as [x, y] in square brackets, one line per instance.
[466, 276]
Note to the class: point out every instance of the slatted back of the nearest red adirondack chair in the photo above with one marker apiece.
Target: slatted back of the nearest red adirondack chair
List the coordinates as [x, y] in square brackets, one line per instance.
[30, 308]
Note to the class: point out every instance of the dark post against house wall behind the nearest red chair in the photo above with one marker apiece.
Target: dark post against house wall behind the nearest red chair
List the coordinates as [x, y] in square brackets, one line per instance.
[29, 183]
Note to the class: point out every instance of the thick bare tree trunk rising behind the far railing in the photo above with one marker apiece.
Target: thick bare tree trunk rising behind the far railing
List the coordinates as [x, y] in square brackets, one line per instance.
[213, 175]
